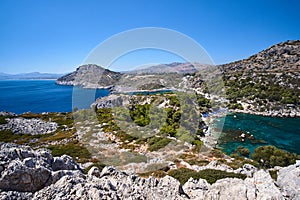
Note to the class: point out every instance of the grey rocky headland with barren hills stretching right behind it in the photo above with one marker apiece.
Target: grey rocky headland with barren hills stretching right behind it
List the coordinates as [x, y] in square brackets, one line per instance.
[163, 76]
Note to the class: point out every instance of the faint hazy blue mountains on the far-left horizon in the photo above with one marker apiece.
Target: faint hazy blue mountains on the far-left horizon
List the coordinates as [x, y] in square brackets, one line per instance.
[32, 75]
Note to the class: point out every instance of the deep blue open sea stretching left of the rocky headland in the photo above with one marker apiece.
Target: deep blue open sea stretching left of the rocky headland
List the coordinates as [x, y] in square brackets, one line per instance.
[37, 96]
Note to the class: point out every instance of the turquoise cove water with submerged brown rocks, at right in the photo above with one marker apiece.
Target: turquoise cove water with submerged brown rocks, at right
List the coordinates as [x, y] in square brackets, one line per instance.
[283, 133]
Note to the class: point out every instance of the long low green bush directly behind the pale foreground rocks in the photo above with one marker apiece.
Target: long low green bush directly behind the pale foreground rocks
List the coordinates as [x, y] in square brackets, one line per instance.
[210, 175]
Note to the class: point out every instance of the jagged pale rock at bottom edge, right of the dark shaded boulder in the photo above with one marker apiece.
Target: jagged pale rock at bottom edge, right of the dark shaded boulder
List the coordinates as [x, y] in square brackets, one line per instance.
[112, 184]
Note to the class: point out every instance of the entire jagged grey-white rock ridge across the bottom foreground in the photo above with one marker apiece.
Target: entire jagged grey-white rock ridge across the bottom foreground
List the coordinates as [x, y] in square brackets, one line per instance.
[29, 174]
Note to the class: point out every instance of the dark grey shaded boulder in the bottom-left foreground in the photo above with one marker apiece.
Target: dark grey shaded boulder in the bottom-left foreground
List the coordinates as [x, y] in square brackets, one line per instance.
[25, 170]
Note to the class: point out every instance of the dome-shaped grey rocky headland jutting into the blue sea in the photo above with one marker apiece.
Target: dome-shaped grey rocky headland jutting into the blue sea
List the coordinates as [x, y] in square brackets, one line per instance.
[90, 76]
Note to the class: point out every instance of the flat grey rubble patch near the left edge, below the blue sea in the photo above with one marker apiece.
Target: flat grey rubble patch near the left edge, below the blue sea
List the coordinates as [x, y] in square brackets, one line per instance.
[29, 126]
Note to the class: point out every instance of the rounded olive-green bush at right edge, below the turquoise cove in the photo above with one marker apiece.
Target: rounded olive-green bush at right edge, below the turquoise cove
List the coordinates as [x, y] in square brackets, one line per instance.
[270, 156]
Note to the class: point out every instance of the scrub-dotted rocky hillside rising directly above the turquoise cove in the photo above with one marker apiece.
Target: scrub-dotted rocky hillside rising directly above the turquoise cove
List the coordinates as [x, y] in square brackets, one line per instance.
[266, 83]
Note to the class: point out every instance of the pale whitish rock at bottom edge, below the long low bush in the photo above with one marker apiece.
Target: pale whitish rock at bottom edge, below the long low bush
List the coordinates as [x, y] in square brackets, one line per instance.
[261, 186]
